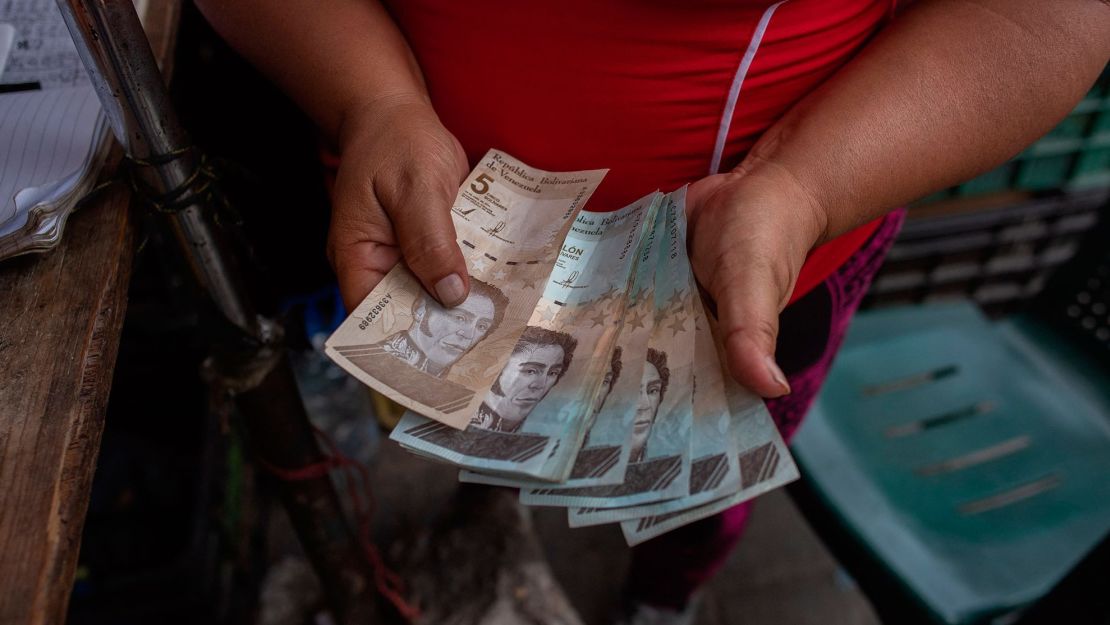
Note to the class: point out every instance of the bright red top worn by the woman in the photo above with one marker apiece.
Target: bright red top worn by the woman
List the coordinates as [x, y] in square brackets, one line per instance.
[661, 93]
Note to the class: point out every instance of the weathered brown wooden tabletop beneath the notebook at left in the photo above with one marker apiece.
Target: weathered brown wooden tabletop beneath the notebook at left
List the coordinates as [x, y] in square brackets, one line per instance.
[60, 320]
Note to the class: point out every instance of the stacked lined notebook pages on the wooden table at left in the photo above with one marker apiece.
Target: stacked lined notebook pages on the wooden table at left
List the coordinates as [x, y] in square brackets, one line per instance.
[54, 137]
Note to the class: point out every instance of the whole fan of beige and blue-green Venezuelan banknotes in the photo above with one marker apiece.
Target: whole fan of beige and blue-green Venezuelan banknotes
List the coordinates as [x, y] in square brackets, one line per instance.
[582, 369]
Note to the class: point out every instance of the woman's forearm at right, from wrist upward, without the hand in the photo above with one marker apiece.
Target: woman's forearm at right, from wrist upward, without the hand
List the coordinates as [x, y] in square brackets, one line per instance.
[951, 89]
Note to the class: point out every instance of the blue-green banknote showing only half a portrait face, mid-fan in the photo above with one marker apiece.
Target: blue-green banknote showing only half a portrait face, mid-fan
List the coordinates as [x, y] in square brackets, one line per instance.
[659, 461]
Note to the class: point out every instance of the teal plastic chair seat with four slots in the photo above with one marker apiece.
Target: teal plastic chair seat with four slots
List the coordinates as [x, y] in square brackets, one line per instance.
[971, 459]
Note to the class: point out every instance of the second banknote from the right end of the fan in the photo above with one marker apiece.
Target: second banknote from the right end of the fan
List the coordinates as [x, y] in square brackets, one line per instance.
[714, 466]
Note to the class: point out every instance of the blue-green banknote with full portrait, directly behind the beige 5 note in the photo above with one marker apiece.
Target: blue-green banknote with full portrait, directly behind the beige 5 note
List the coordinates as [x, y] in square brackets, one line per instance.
[534, 416]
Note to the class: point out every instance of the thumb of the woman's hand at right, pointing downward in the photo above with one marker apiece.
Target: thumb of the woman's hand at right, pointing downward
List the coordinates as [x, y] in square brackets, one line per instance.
[749, 304]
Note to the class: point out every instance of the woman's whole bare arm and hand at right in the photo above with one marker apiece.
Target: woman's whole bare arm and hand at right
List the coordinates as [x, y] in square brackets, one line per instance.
[952, 89]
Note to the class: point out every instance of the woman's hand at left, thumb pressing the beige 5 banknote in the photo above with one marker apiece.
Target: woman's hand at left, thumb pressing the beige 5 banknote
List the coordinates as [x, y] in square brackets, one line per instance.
[400, 170]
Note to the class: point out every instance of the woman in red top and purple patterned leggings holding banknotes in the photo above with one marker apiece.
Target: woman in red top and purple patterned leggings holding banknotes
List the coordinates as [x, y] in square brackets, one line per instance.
[799, 124]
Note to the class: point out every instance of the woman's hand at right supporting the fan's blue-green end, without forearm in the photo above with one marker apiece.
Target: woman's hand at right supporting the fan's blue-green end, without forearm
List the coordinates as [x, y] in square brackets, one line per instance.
[750, 233]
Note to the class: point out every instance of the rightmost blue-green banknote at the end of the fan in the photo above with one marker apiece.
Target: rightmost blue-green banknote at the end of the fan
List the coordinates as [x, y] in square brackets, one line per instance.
[763, 459]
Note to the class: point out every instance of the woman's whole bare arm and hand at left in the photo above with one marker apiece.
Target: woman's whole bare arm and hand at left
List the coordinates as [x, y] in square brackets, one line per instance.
[349, 67]
